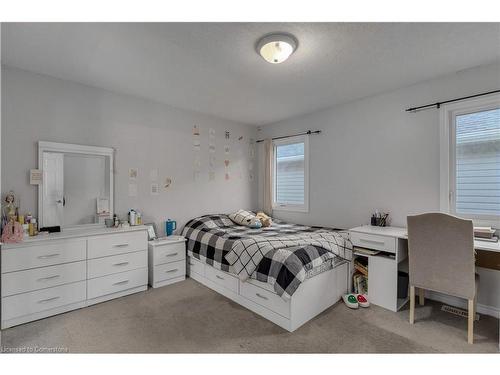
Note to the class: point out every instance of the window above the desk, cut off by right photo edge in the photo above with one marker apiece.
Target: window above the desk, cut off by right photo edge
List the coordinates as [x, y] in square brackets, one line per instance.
[474, 160]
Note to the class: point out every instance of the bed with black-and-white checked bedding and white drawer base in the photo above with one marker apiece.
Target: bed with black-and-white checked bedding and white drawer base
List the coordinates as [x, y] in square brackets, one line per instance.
[287, 273]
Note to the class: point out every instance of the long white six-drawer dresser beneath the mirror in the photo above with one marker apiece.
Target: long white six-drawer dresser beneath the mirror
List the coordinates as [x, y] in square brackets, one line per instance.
[48, 275]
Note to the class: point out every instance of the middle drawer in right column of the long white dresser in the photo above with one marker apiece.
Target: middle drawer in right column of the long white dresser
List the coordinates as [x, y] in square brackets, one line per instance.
[116, 263]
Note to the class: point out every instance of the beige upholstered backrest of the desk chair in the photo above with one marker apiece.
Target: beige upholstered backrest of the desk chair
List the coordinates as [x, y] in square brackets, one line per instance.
[441, 254]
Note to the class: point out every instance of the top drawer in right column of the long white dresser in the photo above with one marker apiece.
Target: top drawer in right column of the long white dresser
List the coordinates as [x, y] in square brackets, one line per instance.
[119, 243]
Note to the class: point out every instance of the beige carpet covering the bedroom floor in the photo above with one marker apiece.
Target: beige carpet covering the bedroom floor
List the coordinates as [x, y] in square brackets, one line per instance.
[188, 317]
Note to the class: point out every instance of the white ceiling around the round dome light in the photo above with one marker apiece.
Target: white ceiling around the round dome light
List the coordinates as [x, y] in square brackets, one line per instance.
[213, 67]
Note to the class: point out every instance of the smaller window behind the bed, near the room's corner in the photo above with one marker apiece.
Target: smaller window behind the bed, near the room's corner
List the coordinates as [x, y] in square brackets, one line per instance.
[291, 174]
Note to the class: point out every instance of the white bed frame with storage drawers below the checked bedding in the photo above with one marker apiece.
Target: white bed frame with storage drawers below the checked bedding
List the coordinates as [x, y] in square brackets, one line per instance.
[312, 297]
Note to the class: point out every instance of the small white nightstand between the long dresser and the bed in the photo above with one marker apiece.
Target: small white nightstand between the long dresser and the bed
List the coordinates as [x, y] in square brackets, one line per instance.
[167, 261]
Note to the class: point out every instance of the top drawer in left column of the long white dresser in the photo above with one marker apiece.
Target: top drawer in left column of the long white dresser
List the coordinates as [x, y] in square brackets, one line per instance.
[46, 254]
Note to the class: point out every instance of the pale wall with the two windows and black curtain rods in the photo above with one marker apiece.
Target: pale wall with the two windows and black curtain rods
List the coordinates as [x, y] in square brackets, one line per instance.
[372, 154]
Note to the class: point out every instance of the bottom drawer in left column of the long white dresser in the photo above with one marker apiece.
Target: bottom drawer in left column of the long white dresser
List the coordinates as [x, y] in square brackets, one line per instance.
[41, 300]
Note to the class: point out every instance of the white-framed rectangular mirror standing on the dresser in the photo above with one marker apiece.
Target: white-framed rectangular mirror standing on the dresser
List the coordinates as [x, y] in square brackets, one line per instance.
[77, 184]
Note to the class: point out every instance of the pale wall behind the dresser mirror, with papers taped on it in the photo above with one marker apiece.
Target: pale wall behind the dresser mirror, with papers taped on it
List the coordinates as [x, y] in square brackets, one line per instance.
[145, 134]
